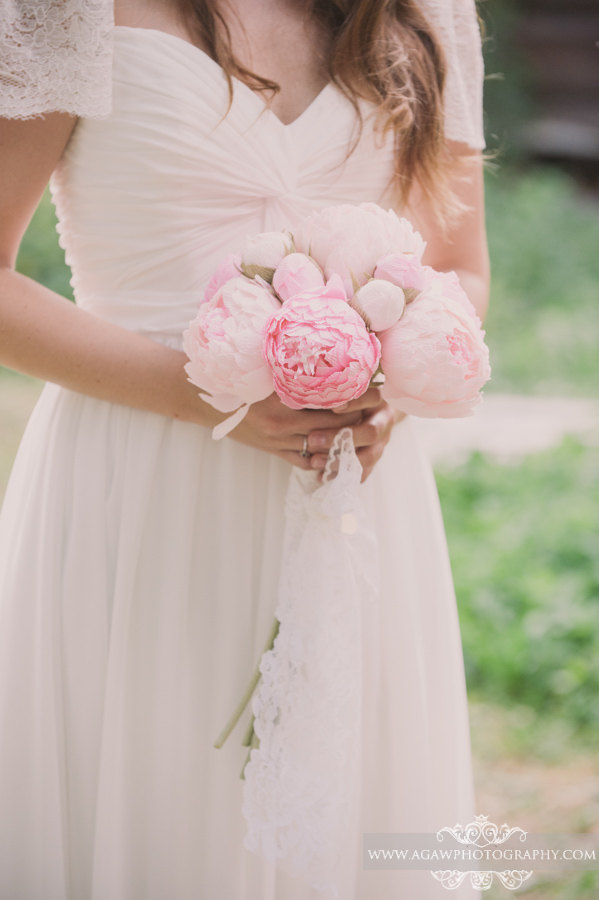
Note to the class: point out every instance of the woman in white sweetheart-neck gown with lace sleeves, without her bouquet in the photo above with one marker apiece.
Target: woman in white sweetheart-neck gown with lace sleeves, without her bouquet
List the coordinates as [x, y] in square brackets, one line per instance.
[139, 558]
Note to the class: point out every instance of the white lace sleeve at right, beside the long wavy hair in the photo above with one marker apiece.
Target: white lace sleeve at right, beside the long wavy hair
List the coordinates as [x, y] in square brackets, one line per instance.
[456, 24]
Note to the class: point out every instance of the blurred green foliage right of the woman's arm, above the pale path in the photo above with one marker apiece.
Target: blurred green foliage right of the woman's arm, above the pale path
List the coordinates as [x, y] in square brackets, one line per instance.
[543, 322]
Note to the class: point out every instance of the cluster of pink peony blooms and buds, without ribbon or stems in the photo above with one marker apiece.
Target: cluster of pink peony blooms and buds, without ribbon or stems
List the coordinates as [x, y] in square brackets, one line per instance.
[320, 314]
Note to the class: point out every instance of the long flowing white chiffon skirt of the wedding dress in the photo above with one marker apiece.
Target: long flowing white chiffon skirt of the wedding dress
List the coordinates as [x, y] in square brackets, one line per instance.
[138, 573]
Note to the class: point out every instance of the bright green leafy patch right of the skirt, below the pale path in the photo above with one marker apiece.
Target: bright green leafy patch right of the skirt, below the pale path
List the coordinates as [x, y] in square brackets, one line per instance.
[524, 545]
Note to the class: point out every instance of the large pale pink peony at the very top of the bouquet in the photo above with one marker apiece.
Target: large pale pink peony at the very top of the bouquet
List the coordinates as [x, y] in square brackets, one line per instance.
[350, 240]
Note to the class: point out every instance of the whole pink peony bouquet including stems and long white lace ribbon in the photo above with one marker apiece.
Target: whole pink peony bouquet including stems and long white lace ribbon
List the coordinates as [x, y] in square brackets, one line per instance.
[317, 316]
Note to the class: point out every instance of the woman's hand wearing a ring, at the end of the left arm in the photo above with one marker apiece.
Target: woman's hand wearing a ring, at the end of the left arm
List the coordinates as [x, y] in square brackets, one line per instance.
[270, 425]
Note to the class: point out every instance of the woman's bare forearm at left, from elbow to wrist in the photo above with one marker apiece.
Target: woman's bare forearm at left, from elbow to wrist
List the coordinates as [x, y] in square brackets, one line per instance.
[44, 335]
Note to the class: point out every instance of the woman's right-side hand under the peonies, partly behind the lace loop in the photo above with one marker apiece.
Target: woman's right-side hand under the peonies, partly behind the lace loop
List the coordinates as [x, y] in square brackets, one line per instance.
[371, 434]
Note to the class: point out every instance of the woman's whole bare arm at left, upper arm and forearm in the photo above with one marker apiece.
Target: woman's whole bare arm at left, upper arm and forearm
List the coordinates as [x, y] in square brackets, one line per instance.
[45, 335]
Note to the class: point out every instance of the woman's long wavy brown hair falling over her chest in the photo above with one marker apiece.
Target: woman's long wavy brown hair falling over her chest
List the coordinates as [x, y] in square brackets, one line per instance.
[383, 51]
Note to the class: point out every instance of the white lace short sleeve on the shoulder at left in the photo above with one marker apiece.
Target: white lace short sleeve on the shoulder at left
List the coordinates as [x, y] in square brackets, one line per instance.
[55, 55]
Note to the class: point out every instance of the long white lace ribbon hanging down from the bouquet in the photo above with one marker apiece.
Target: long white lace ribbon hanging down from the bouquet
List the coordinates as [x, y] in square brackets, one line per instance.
[300, 781]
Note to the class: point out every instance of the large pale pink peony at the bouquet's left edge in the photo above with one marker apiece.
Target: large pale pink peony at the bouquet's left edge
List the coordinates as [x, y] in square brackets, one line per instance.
[224, 345]
